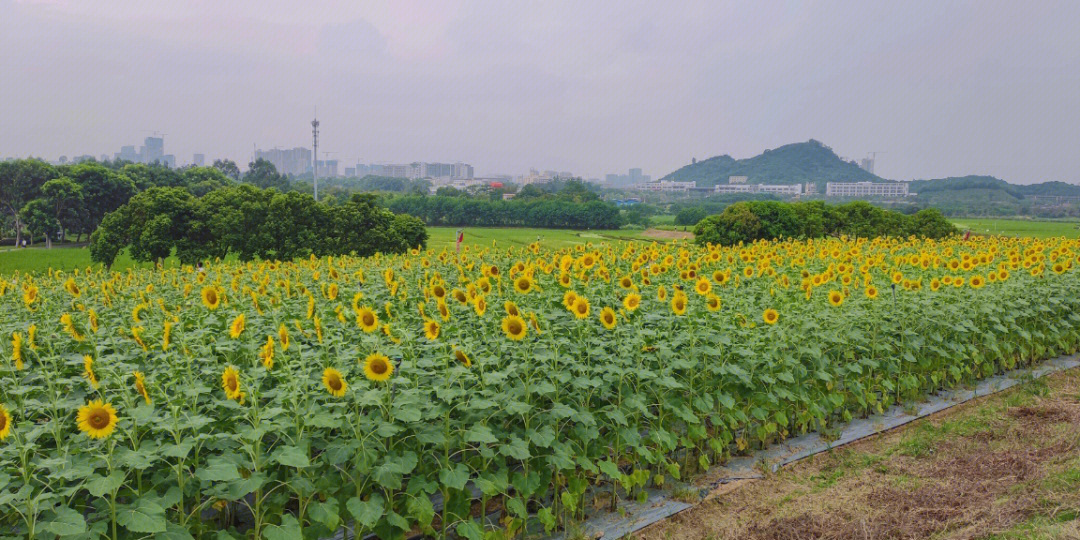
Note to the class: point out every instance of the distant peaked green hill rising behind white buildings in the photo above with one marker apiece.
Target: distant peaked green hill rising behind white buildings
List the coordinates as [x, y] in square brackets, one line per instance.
[796, 164]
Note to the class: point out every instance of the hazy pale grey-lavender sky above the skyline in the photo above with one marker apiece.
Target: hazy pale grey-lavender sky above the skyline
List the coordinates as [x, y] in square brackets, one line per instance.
[941, 88]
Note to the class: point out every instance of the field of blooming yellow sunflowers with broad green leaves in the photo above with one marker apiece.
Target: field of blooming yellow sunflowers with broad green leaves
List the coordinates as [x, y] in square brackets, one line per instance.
[483, 395]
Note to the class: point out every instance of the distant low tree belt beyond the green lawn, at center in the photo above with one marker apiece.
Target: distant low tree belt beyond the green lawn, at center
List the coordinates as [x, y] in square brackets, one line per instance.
[541, 213]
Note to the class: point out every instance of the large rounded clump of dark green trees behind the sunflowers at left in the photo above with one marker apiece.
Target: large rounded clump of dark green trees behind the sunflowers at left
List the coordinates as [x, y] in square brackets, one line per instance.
[250, 223]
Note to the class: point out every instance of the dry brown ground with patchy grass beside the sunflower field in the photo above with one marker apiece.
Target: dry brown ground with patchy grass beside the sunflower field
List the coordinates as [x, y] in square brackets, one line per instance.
[1004, 467]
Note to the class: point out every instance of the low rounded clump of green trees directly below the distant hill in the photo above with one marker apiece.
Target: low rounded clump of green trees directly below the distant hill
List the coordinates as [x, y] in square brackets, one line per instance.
[748, 222]
